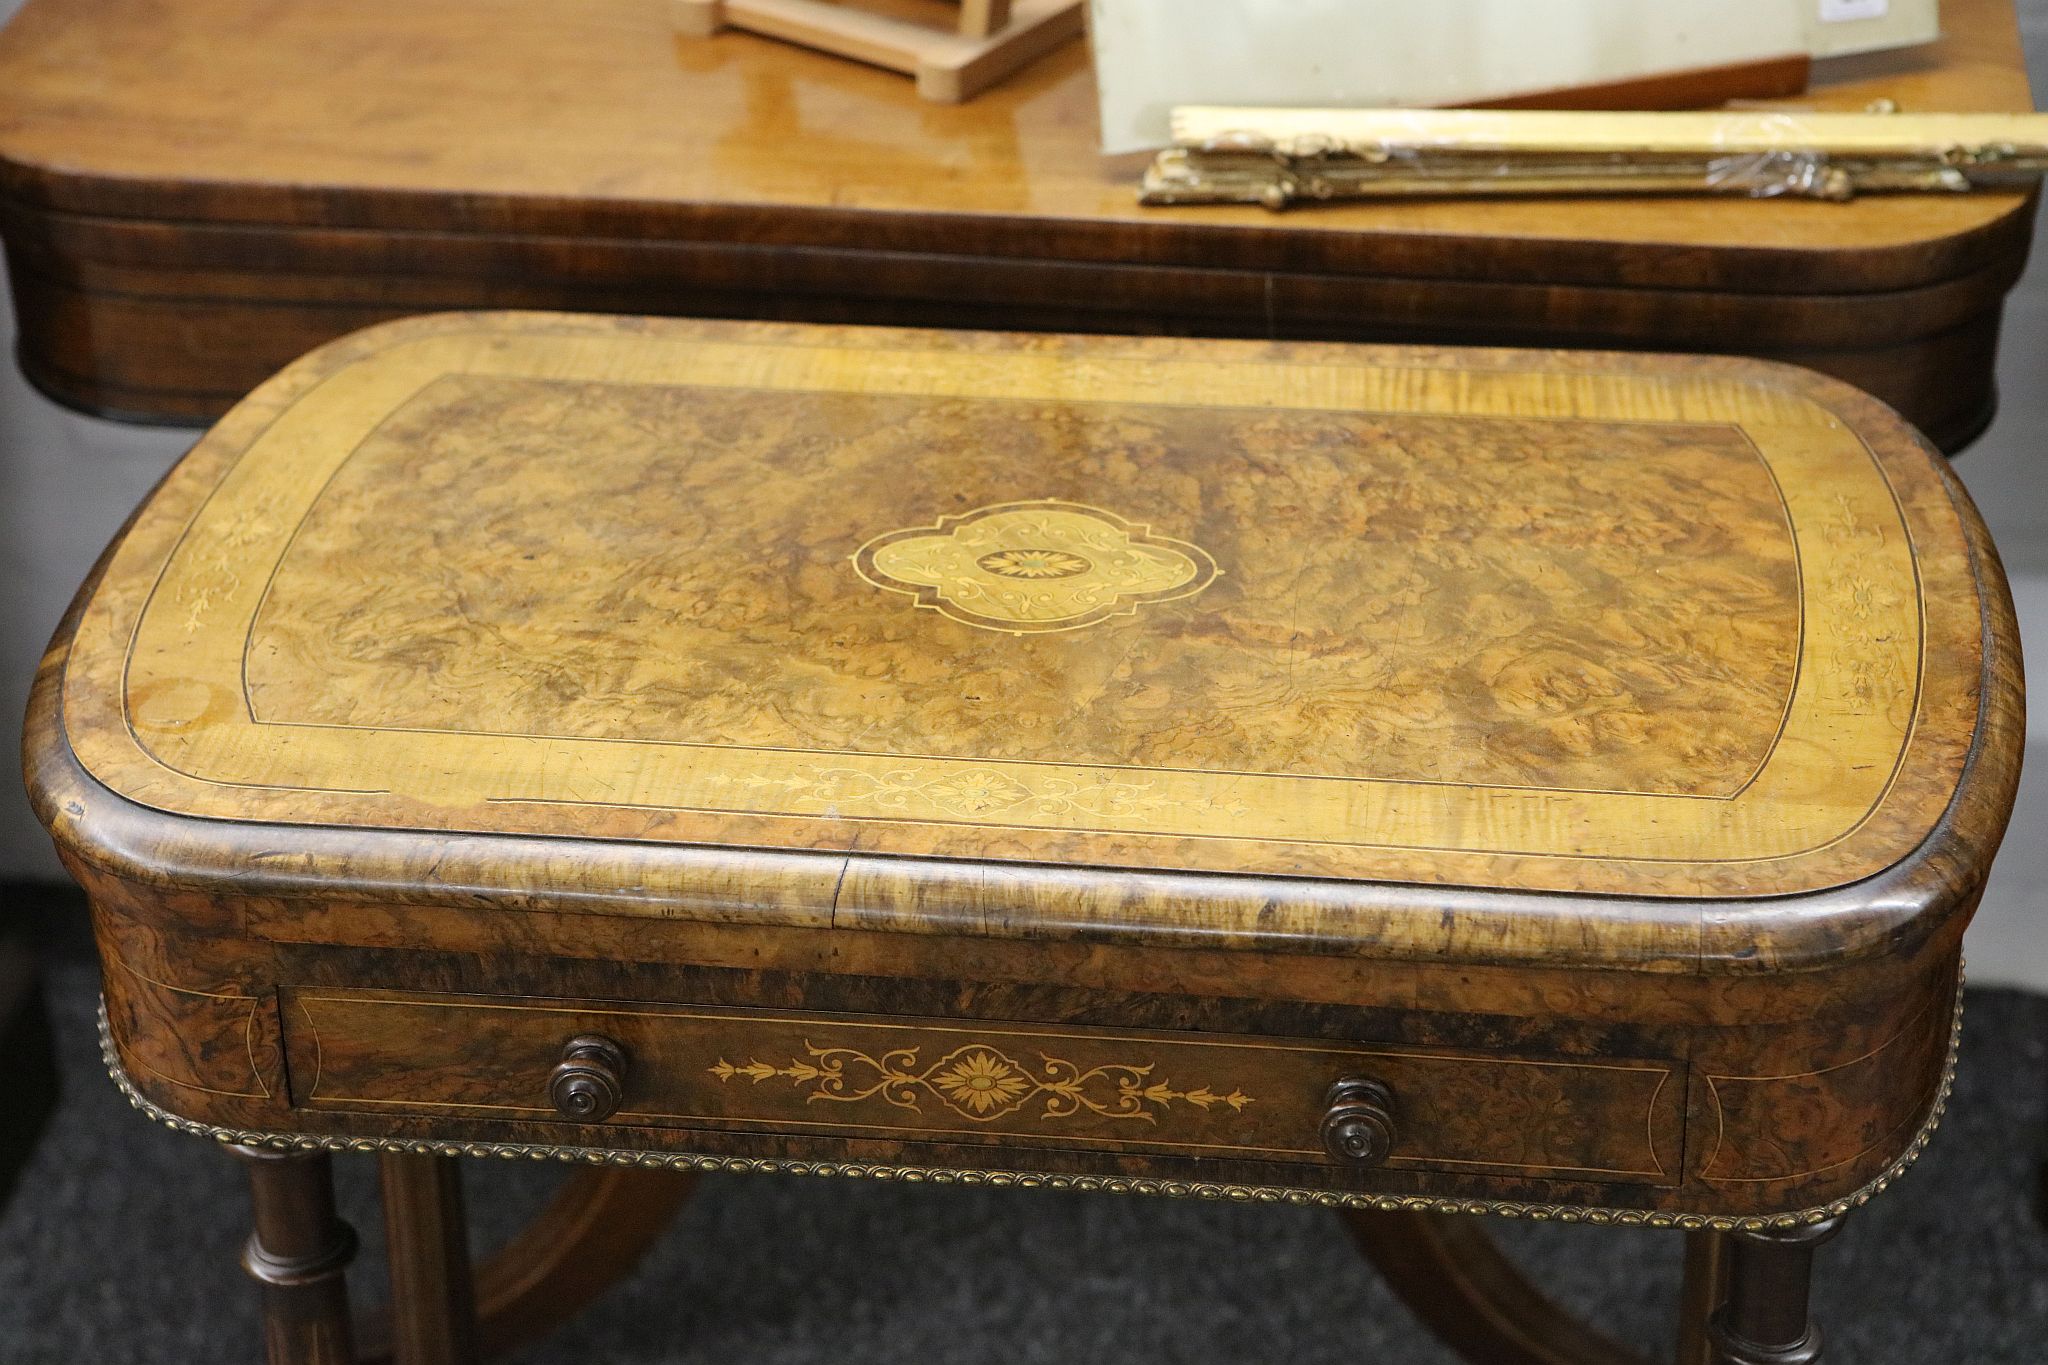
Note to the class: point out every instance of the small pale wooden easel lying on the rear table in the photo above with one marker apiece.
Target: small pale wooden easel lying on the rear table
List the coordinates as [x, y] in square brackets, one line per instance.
[994, 38]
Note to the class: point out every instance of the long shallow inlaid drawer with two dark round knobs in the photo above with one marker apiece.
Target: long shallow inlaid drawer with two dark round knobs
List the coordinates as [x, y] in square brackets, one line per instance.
[980, 1084]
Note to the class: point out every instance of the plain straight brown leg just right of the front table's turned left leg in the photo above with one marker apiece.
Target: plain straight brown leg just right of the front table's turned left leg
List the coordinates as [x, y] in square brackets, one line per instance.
[427, 1237]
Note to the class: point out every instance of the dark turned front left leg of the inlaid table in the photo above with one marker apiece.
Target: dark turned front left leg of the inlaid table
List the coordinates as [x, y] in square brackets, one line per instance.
[300, 1253]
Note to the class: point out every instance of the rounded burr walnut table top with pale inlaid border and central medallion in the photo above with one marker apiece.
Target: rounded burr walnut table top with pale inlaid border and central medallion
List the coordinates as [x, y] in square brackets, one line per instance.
[1246, 642]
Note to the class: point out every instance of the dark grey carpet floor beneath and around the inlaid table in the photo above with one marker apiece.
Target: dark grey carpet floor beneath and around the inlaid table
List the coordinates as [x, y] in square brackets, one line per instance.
[120, 1249]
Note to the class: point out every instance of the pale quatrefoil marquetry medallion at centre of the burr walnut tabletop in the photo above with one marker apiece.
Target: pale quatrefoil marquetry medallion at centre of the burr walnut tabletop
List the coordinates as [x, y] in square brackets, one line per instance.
[1035, 566]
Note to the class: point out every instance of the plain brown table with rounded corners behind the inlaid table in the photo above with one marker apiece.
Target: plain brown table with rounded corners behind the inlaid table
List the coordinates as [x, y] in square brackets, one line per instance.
[194, 195]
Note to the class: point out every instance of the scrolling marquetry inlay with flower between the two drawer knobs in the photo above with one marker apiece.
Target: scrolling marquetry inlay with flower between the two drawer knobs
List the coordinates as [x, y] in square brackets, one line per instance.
[982, 1084]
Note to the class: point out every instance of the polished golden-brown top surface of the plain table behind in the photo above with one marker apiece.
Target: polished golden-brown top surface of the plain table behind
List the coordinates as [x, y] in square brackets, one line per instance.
[251, 109]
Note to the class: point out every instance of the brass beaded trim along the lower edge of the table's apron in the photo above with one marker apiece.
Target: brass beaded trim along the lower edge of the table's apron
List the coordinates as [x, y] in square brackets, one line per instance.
[1023, 1180]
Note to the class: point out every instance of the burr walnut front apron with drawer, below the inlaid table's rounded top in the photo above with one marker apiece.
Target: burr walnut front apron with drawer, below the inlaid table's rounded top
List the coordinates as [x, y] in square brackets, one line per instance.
[1617, 1090]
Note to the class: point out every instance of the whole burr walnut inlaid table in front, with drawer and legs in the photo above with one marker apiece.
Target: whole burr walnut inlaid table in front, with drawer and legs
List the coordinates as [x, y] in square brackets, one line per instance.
[1414, 783]
